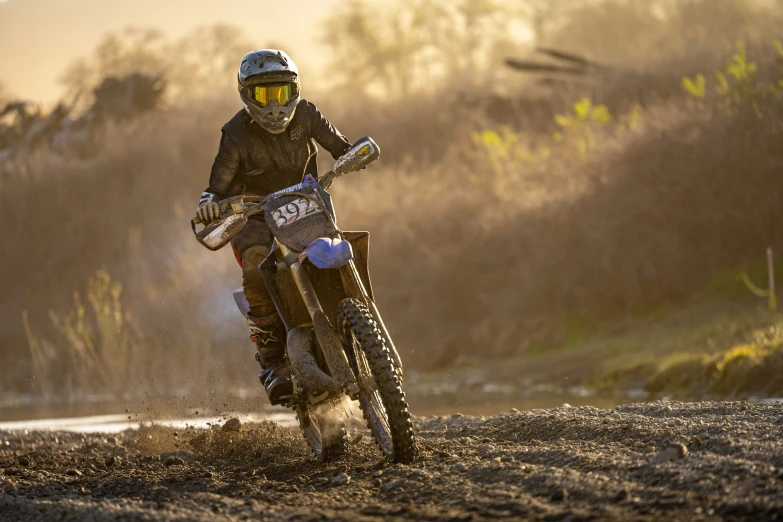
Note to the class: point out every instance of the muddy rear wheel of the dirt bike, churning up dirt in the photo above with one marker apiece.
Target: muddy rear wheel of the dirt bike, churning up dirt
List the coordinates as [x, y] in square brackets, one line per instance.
[324, 429]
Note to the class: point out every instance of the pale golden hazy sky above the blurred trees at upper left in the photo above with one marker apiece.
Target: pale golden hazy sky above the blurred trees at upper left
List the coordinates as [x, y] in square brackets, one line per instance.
[39, 38]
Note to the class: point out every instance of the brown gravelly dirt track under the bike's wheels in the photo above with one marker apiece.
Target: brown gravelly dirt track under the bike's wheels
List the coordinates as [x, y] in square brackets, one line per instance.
[673, 461]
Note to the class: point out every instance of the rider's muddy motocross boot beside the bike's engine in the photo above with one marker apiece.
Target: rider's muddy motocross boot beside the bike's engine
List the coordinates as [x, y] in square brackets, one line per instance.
[268, 334]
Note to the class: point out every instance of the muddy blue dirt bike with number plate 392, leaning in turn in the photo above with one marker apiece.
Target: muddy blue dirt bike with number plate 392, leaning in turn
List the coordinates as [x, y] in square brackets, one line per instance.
[337, 344]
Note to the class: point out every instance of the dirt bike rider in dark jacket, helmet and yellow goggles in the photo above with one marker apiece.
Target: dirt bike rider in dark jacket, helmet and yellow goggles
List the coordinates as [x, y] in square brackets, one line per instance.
[267, 146]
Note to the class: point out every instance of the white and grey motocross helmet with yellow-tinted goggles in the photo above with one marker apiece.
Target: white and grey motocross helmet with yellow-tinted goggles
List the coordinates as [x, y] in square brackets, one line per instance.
[268, 82]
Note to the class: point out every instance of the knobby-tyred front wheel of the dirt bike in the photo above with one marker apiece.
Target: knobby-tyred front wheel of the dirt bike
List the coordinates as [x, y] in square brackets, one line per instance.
[380, 392]
